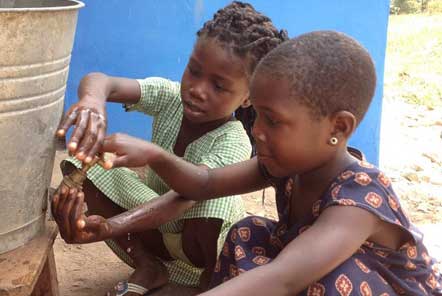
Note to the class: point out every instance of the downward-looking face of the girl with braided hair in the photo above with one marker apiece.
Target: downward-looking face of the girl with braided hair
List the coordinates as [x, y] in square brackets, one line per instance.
[214, 83]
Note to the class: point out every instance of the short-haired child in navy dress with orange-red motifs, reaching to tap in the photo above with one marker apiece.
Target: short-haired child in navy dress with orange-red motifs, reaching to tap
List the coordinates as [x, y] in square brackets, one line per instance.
[341, 229]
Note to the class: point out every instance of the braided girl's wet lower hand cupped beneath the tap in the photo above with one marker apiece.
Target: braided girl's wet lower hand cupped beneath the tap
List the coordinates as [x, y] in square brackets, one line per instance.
[75, 227]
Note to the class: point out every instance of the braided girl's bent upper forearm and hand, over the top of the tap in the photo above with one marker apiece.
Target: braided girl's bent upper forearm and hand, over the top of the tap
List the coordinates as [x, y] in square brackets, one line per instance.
[89, 113]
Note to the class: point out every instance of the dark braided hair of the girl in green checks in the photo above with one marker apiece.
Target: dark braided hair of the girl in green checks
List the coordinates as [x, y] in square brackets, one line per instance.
[250, 35]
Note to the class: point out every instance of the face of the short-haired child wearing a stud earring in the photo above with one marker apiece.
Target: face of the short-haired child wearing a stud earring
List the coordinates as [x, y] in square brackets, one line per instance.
[289, 140]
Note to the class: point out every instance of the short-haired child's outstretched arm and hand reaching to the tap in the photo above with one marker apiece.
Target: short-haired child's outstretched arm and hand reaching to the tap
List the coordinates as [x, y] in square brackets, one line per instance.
[189, 180]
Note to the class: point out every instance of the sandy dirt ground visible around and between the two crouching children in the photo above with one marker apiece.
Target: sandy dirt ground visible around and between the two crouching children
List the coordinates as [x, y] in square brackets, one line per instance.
[411, 154]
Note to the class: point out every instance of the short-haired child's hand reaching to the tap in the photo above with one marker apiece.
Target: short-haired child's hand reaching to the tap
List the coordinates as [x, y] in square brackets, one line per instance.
[129, 151]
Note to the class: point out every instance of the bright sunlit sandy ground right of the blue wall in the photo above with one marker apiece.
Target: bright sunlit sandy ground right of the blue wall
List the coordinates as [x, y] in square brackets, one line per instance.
[411, 155]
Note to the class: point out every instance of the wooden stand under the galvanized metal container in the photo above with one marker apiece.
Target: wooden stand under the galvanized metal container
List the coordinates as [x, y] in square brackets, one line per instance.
[21, 268]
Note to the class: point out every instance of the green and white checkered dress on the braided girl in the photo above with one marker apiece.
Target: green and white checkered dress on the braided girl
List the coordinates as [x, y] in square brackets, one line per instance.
[225, 145]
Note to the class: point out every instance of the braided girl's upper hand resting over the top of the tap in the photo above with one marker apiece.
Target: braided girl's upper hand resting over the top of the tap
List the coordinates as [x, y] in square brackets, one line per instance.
[89, 118]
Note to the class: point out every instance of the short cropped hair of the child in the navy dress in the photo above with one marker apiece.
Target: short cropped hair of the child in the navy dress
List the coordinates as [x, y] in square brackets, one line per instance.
[327, 71]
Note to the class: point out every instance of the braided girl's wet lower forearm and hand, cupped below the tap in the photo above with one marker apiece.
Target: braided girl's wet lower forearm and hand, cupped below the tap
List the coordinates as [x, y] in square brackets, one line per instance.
[67, 210]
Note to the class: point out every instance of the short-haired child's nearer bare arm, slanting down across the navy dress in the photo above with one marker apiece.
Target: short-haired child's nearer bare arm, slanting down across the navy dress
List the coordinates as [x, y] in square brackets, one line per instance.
[332, 239]
